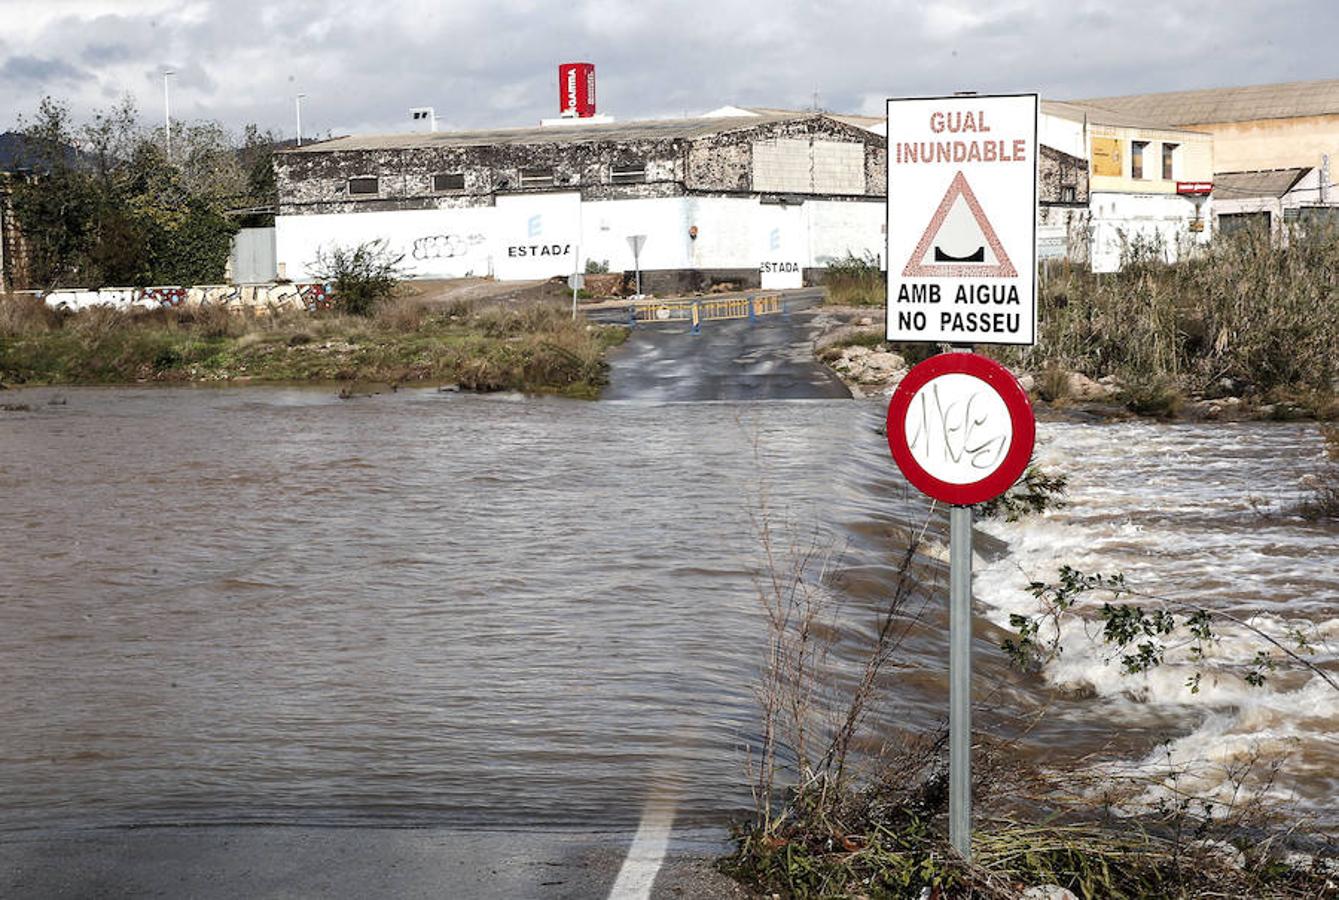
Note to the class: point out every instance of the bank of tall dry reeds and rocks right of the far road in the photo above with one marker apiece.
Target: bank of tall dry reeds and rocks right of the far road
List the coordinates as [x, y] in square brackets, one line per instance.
[1247, 329]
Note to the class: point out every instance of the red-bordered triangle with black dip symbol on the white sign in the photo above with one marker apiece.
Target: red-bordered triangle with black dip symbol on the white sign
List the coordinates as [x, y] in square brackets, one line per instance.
[959, 240]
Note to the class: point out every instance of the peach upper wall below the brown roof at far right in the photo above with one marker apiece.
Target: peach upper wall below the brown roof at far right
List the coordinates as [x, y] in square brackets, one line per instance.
[1273, 144]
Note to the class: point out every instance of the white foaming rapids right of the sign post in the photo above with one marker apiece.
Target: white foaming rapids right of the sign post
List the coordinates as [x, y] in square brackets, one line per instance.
[1199, 516]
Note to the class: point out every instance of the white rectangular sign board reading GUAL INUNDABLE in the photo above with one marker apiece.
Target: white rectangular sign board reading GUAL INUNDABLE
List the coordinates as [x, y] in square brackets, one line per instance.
[962, 219]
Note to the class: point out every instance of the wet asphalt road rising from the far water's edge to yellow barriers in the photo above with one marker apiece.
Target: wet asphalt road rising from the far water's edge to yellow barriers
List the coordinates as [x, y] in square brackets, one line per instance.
[730, 361]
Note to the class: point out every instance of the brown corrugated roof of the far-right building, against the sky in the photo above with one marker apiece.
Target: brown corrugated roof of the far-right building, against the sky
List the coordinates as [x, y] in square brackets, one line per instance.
[1285, 101]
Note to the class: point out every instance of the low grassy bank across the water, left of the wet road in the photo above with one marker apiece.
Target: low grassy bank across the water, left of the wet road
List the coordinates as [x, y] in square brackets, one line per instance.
[488, 348]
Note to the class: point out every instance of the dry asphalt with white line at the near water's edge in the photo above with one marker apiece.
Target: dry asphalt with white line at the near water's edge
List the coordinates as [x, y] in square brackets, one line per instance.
[218, 863]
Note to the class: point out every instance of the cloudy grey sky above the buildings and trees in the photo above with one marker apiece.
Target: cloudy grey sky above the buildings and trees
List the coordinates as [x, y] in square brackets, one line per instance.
[493, 64]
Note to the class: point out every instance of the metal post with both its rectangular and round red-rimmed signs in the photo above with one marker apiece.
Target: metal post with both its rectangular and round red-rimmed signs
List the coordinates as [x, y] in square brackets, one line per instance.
[962, 270]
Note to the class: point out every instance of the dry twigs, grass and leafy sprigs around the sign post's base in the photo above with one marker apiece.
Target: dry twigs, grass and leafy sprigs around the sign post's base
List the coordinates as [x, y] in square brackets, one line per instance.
[850, 807]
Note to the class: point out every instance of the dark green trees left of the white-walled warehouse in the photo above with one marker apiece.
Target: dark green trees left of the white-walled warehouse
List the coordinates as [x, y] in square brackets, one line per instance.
[104, 204]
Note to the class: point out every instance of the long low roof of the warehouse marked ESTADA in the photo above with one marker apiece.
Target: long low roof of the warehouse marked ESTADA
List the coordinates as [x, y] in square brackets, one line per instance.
[614, 132]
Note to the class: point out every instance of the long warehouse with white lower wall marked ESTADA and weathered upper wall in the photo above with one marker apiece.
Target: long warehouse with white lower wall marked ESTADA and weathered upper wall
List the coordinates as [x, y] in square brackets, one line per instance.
[726, 199]
